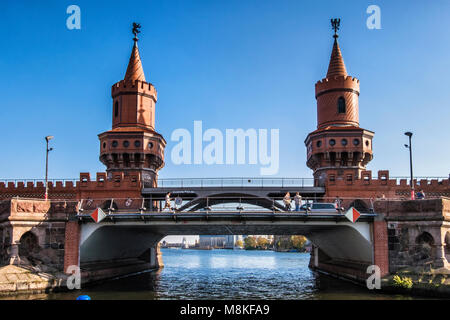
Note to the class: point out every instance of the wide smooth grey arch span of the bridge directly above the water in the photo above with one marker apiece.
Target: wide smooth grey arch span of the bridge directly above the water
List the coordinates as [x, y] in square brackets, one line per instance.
[342, 242]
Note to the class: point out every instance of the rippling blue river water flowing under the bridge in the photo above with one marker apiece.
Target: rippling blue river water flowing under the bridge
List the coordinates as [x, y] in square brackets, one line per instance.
[227, 274]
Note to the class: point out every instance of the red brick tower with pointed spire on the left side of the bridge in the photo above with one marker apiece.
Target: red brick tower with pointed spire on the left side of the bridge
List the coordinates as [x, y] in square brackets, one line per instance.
[133, 145]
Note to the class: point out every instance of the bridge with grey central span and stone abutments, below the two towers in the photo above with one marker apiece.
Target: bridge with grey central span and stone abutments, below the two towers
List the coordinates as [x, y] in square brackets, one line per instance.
[126, 241]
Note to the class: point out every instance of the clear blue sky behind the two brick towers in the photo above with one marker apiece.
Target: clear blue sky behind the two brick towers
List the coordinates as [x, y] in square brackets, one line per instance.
[232, 64]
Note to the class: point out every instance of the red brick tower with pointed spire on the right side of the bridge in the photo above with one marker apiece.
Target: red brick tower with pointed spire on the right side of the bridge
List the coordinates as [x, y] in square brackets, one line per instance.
[339, 148]
